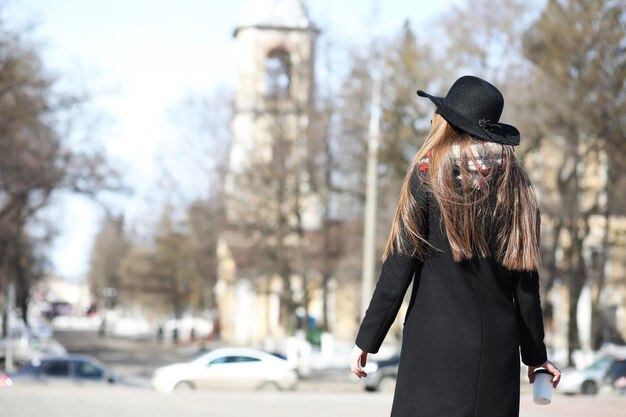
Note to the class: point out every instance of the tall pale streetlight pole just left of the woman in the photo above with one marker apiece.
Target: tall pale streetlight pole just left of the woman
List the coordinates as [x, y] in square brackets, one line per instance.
[371, 196]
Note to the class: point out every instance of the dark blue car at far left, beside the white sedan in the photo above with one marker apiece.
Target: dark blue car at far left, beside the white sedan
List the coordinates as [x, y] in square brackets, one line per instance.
[77, 369]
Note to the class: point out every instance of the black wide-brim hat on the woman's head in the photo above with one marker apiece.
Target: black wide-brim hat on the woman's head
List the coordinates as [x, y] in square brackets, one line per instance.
[474, 106]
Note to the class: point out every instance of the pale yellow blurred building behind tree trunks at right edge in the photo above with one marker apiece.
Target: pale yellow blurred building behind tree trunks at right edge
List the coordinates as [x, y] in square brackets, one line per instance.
[603, 251]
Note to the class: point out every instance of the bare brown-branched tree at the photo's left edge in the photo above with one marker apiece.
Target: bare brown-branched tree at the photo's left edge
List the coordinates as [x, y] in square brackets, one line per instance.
[35, 157]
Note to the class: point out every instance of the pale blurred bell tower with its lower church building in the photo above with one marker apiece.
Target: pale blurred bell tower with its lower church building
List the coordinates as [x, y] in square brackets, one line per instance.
[274, 253]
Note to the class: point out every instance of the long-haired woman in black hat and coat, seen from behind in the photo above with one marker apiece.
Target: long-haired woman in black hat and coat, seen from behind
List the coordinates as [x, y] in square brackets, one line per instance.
[466, 233]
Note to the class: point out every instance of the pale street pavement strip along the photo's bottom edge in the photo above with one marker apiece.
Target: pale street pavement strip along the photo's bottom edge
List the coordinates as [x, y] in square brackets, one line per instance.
[113, 401]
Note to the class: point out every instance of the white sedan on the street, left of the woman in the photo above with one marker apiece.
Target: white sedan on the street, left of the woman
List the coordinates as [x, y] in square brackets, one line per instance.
[227, 368]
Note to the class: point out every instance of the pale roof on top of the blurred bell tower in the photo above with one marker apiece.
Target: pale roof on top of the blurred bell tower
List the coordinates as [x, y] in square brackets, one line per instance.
[282, 14]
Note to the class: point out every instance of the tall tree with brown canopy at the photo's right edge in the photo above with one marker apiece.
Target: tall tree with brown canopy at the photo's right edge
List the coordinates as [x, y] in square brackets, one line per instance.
[586, 70]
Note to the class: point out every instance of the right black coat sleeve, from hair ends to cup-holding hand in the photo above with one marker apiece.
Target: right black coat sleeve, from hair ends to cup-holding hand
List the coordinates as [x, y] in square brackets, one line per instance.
[530, 318]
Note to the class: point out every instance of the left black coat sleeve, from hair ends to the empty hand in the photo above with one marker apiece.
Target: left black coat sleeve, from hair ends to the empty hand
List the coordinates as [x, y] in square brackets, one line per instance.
[395, 277]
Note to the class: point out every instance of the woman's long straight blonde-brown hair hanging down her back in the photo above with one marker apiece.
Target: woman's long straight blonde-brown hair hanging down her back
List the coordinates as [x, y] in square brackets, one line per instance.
[479, 186]
